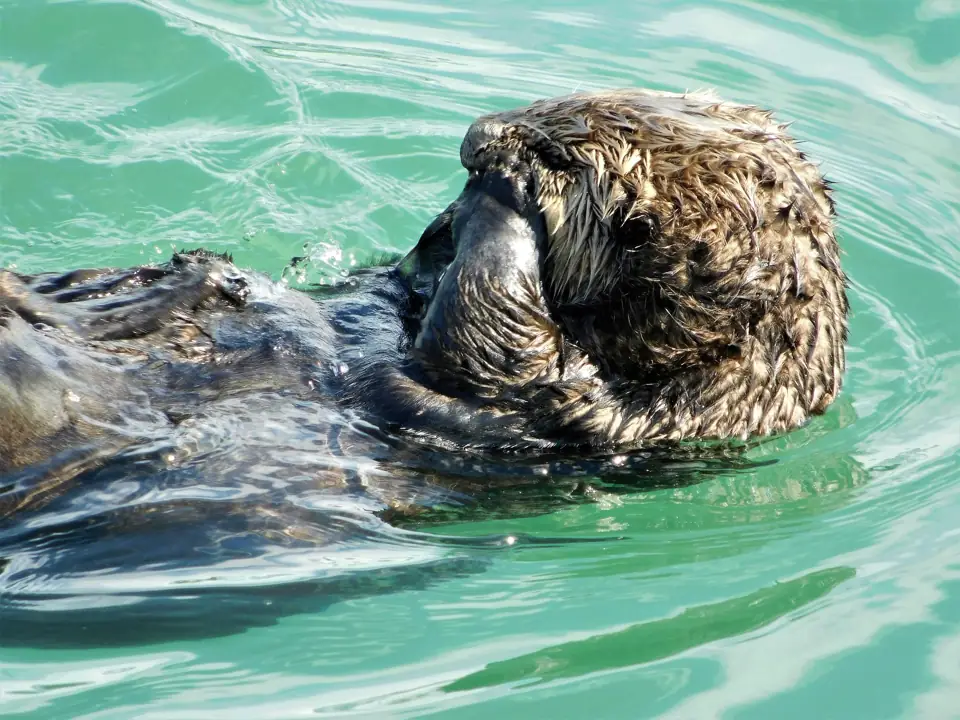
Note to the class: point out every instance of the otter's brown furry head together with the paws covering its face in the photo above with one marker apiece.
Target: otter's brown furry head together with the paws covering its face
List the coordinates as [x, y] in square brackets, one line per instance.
[637, 265]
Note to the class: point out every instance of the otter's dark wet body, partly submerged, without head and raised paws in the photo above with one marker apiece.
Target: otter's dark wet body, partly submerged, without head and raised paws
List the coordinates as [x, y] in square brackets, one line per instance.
[101, 484]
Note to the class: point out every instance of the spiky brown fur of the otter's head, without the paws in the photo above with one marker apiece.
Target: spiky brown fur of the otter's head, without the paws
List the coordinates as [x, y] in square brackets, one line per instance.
[692, 260]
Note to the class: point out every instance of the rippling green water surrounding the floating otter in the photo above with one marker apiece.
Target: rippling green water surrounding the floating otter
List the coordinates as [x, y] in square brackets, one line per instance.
[825, 585]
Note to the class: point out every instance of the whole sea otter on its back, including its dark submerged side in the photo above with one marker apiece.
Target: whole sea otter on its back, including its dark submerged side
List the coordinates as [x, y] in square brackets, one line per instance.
[623, 271]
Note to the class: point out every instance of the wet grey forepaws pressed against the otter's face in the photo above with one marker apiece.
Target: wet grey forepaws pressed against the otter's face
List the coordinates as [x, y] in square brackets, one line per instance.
[485, 327]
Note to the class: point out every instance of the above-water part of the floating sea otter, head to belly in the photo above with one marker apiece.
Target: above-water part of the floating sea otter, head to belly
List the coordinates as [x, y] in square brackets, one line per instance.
[621, 269]
